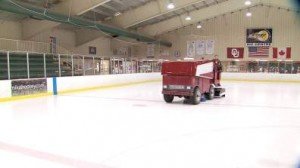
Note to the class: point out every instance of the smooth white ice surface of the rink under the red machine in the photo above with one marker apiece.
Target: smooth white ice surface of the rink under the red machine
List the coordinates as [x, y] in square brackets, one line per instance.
[257, 125]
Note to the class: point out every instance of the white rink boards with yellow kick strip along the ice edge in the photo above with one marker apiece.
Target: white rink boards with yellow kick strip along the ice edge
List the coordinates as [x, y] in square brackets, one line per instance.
[63, 85]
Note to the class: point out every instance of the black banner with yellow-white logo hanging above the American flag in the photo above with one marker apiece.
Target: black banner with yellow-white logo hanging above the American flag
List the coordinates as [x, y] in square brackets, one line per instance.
[259, 37]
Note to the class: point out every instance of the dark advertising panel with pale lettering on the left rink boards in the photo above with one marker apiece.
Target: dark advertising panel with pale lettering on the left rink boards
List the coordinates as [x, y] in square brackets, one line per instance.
[28, 86]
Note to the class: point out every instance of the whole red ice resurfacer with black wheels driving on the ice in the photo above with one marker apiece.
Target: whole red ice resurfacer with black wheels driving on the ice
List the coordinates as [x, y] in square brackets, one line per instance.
[192, 80]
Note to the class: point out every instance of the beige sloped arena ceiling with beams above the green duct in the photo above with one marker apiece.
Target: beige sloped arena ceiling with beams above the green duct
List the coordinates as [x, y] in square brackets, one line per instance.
[151, 17]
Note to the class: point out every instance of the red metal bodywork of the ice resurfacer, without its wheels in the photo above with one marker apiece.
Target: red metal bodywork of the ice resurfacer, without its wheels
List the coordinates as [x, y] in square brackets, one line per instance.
[179, 75]
